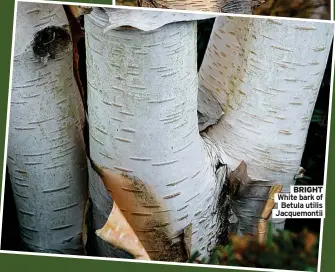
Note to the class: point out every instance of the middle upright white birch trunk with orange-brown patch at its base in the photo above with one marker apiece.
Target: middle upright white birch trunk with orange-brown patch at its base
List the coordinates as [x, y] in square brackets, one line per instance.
[153, 76]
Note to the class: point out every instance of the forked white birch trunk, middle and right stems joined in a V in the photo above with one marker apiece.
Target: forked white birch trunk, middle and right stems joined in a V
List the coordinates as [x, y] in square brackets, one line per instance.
[145, 147]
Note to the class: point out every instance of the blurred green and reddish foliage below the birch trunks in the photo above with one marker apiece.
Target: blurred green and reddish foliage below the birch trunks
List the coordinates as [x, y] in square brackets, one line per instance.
[282, 250]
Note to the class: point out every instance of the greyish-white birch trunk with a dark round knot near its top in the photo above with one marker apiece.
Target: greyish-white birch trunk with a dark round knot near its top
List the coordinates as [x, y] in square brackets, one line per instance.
[46, 148]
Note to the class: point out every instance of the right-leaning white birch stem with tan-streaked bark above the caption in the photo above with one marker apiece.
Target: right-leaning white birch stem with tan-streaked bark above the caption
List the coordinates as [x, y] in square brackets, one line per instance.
[267, 83]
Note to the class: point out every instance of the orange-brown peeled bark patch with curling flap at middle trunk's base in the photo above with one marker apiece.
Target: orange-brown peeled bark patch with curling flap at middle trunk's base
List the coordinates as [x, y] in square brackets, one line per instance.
[146, 216]
